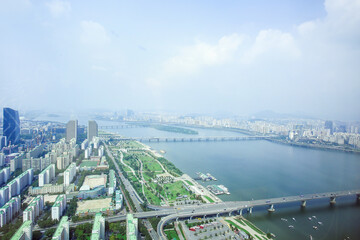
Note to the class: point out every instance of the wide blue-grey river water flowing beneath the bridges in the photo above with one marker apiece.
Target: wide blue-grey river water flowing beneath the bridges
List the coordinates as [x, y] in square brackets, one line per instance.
[262, 169]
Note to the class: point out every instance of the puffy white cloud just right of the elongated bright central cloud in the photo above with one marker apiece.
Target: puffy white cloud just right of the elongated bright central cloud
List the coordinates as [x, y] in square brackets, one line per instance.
[272, 42]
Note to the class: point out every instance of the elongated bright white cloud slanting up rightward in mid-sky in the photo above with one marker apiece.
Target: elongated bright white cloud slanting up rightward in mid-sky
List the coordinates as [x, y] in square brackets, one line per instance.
[193, 58]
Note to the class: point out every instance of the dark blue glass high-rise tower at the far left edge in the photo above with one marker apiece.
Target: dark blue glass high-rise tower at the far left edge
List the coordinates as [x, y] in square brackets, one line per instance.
[11, 125]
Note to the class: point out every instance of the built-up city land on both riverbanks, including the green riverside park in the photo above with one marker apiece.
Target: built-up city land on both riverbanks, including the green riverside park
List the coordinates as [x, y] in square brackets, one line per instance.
[68, 181]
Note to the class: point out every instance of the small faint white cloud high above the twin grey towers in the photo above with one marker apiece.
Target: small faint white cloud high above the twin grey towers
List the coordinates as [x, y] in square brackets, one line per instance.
[93, 34]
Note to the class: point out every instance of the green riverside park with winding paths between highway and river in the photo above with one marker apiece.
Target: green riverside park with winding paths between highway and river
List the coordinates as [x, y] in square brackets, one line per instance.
[156, 179]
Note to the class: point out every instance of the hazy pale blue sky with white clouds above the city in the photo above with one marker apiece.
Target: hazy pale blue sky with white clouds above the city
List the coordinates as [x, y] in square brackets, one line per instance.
[240, 57]
